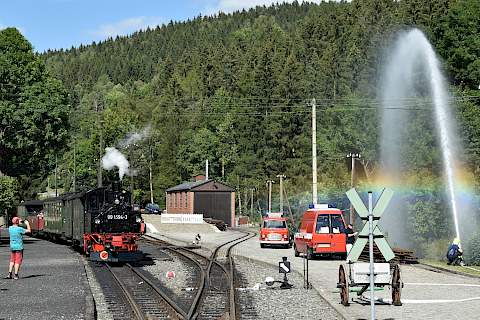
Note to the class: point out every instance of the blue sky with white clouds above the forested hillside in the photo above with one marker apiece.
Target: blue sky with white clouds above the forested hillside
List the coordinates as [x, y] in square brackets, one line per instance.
[54, 24]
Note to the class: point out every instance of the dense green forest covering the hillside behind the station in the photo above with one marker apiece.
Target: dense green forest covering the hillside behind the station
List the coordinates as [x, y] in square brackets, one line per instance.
[236, 89]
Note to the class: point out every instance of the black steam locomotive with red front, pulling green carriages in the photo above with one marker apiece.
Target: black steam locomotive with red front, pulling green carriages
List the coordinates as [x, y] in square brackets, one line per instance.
[102, 222]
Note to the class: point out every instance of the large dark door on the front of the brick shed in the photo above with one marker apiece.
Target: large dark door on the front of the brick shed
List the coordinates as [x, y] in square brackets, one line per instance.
[215, 205]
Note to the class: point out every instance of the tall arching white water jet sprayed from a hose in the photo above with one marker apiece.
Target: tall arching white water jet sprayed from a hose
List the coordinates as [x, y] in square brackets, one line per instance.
[412, 53]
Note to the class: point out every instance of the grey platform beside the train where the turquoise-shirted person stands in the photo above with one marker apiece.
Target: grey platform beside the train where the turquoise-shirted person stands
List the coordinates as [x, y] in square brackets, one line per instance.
[52, 283]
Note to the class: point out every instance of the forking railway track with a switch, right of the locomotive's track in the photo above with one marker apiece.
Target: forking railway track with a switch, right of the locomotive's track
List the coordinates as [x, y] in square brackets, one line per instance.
[215, 293]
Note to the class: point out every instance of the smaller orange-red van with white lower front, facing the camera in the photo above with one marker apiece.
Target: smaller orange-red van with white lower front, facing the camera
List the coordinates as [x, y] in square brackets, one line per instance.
[274, 231]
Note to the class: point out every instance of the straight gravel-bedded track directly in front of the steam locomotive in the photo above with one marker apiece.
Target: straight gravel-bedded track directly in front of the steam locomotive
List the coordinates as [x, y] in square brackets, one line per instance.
[131, 295]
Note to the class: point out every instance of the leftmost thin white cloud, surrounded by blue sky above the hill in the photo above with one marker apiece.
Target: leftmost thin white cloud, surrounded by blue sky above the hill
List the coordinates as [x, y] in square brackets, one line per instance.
[127, 26]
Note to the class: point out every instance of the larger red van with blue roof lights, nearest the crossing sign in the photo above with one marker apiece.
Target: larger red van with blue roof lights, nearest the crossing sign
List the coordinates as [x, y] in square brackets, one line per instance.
[321, 232]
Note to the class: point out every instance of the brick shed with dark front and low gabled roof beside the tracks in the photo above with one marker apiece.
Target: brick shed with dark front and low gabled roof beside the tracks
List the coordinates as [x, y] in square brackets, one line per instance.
[211, 198]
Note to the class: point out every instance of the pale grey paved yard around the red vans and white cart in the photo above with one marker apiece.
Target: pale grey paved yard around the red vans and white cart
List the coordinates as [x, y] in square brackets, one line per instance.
[426, 295]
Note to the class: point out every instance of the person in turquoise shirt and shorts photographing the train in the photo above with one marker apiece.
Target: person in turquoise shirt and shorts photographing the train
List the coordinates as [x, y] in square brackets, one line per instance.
[16, 246]
